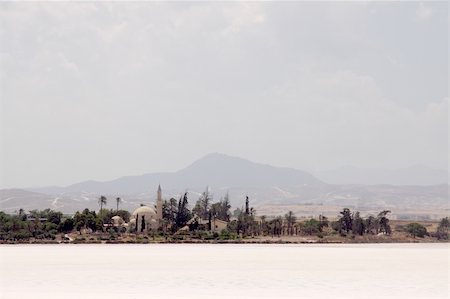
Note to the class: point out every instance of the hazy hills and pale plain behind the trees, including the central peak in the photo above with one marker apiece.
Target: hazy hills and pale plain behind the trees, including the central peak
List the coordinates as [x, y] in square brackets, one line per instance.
[267, 186]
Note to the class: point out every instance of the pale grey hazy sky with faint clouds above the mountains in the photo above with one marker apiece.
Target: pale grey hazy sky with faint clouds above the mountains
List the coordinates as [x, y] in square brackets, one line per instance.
[98, 91]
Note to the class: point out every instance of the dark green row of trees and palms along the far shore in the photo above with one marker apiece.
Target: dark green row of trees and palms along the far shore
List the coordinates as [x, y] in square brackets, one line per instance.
[242, 222]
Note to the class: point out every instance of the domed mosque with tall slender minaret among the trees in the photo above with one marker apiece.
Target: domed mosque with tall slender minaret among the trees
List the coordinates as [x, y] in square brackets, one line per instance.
[146, 218]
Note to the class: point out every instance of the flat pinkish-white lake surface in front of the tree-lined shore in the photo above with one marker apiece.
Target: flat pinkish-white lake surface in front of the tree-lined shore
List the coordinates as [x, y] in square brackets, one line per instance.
[225, 271]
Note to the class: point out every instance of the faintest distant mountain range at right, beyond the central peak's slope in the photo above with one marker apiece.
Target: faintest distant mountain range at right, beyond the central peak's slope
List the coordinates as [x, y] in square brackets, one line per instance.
[418, 175]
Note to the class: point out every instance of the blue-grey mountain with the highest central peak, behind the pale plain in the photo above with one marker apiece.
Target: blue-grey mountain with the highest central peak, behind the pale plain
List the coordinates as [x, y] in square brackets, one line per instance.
[217, 171]
